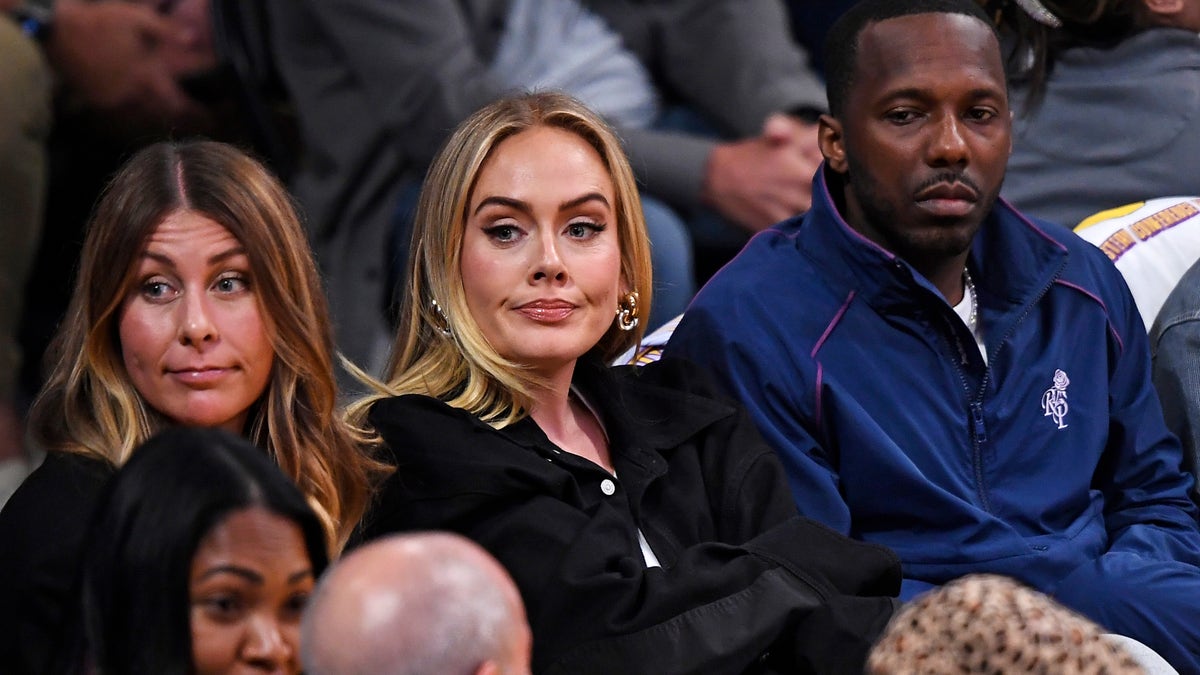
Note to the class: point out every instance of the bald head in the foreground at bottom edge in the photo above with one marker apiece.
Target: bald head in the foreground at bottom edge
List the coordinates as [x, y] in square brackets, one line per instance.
[418, 604]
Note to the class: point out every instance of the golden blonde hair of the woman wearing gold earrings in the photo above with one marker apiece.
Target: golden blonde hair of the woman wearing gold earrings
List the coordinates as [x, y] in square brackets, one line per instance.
[464, 369]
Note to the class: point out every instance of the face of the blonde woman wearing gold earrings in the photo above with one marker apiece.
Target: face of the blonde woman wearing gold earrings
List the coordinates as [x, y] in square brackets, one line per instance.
[541, 253]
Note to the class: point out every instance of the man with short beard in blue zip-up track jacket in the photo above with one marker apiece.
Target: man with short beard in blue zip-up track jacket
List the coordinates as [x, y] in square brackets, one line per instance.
[941, 374]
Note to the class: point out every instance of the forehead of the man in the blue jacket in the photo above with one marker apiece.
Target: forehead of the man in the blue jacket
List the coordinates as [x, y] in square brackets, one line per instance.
[927, 49]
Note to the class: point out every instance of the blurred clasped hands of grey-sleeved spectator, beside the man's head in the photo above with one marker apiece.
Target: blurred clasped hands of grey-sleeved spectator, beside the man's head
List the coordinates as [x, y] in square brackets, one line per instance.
[763, 181]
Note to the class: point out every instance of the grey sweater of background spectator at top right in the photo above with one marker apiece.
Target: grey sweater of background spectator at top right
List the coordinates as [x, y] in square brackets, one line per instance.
[1118, 127]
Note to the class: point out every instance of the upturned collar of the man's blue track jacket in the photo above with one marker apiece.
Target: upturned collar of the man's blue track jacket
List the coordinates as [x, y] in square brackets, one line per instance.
[1013, 260]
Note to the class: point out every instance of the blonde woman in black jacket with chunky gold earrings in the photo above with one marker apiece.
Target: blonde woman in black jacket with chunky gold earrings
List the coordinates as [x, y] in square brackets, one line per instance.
[647, 525]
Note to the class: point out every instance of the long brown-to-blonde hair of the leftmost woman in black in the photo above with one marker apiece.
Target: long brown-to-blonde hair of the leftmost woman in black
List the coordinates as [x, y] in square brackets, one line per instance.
[91, 407]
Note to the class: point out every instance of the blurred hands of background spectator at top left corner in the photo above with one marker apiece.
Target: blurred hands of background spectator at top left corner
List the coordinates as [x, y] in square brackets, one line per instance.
[123, 58]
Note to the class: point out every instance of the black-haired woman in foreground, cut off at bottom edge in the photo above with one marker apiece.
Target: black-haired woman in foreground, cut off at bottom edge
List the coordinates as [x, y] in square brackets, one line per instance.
[200, 560]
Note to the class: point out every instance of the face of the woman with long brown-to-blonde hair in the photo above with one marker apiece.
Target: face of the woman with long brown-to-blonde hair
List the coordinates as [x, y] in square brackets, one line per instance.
[193, 336]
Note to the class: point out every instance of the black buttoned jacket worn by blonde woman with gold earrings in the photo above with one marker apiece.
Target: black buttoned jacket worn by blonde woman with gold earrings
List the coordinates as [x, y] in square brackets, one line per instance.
[746, 584]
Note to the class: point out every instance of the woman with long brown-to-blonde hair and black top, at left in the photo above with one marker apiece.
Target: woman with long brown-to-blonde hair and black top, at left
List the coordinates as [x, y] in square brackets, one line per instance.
[197, 303]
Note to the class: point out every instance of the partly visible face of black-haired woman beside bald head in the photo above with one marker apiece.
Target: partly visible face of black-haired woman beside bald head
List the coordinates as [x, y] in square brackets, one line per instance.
[250, 581]
